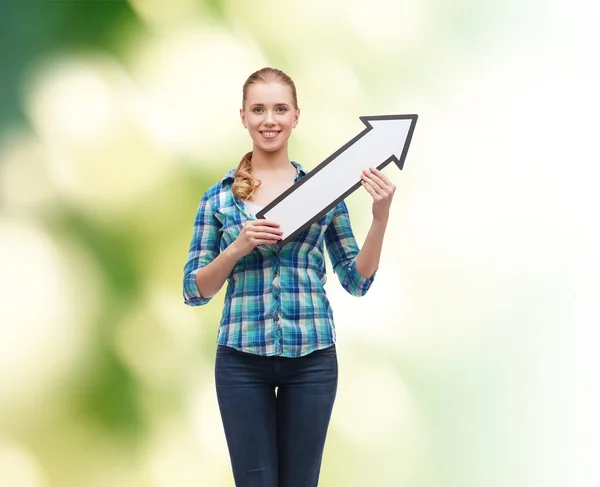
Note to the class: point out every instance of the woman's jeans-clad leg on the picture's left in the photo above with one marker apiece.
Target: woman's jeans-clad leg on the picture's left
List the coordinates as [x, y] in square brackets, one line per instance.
[246, 398]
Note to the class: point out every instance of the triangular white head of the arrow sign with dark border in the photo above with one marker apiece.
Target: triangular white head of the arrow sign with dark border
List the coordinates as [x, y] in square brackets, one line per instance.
[392, 133]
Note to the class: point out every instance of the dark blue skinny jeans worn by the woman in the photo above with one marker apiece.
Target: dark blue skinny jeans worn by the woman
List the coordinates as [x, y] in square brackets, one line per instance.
[275, 413]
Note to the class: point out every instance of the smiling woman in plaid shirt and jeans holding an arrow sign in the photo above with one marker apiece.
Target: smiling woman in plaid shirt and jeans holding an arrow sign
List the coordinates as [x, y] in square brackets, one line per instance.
[276, 364]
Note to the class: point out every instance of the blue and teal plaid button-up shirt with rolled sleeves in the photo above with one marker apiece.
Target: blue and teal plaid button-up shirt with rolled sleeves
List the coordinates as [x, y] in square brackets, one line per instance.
[275, 302]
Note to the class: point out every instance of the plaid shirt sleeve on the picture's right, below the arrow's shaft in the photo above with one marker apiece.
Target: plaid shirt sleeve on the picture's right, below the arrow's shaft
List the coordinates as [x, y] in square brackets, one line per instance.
[343, 249]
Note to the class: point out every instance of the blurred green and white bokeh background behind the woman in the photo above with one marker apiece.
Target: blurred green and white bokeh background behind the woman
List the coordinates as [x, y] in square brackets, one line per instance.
[456, 370]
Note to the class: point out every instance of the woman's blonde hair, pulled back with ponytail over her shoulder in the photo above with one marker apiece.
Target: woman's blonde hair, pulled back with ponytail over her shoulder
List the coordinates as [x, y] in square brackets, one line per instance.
[244, 183]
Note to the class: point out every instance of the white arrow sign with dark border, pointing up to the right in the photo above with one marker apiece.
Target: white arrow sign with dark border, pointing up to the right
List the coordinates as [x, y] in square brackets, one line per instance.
[386, 139]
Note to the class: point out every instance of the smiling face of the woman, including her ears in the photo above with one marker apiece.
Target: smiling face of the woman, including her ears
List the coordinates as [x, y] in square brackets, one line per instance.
[269, 115]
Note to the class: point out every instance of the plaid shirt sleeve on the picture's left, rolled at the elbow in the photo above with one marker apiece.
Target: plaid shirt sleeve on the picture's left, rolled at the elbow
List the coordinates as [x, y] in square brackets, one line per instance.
[204, 248]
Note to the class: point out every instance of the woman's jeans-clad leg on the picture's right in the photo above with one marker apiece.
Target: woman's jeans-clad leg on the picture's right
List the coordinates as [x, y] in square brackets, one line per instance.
[304, 403]
